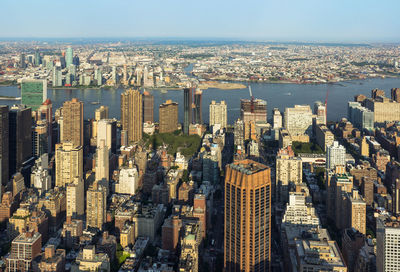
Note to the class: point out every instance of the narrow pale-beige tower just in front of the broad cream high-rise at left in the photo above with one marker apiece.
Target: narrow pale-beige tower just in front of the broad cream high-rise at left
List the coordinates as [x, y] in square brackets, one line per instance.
[76, 198]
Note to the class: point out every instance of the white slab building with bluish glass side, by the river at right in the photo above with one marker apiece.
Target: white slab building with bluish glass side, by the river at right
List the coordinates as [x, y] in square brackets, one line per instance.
[359, 116]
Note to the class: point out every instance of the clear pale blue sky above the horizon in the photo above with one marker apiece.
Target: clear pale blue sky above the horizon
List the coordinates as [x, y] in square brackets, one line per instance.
[264, 20]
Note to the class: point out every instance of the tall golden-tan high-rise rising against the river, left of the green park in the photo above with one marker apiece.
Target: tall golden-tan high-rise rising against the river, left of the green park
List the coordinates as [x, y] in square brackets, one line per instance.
[131, 114]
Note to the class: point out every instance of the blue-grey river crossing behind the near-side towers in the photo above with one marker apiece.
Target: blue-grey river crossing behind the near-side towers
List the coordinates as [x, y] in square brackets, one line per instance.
[277, 96]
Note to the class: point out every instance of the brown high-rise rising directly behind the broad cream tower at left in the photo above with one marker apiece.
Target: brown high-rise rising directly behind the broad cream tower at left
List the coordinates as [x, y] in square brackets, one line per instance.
[72, 122]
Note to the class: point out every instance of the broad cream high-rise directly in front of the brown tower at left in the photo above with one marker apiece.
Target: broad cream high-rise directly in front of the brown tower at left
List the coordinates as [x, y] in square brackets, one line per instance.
[69, 163]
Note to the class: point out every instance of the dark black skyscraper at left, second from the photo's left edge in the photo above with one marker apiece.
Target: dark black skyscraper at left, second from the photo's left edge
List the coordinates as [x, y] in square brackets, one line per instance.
[20, 137]
